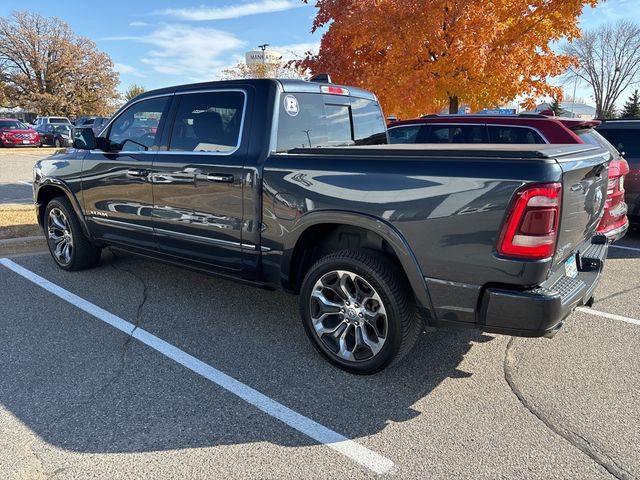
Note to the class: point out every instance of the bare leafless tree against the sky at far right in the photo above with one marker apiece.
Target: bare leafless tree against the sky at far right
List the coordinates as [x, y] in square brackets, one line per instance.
[608, 60]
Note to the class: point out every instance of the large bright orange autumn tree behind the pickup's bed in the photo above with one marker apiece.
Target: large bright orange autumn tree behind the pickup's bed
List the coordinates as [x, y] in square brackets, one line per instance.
[419, 55]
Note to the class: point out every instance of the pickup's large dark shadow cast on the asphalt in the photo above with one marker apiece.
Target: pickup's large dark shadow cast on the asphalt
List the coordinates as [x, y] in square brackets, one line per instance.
[83, 386]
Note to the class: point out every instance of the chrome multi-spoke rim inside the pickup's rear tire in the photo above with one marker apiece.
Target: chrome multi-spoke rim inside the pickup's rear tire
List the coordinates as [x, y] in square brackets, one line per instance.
[348, 316]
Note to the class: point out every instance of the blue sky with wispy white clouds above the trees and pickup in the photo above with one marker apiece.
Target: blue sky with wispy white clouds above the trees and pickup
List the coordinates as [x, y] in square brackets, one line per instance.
[166, 42]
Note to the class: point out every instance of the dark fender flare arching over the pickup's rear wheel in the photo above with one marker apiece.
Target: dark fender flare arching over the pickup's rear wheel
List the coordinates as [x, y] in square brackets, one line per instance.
[376, 225]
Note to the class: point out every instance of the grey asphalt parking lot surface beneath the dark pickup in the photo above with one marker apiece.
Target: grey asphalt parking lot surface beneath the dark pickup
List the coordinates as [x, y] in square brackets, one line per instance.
[137, 369]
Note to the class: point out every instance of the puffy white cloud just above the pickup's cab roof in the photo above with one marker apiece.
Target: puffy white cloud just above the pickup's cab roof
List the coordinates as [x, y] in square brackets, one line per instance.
[196, 54]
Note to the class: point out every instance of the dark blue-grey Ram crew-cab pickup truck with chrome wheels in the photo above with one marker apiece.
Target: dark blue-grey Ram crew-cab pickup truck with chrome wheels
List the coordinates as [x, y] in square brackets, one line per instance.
[287, 184]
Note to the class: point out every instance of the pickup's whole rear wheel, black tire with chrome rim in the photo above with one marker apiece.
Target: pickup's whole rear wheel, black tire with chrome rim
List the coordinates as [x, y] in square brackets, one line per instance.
[372, 301]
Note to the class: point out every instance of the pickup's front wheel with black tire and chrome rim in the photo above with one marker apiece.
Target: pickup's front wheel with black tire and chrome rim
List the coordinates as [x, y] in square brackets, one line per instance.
[62, 229]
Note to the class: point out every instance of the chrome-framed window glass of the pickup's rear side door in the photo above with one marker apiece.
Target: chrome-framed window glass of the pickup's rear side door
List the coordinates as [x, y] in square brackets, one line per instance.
[208, 122]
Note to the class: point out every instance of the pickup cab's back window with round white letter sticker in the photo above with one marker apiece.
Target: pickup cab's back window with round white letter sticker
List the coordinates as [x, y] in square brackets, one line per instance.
[309, 120]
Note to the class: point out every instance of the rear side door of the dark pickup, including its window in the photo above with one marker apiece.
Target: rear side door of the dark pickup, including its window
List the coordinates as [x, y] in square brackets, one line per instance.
[198, 181]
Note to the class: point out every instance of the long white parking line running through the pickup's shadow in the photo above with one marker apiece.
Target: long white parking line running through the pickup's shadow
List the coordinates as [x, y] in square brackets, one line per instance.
[349, 448]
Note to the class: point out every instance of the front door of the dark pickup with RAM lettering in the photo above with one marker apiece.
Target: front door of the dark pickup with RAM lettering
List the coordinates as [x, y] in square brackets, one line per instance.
[116, 183]
